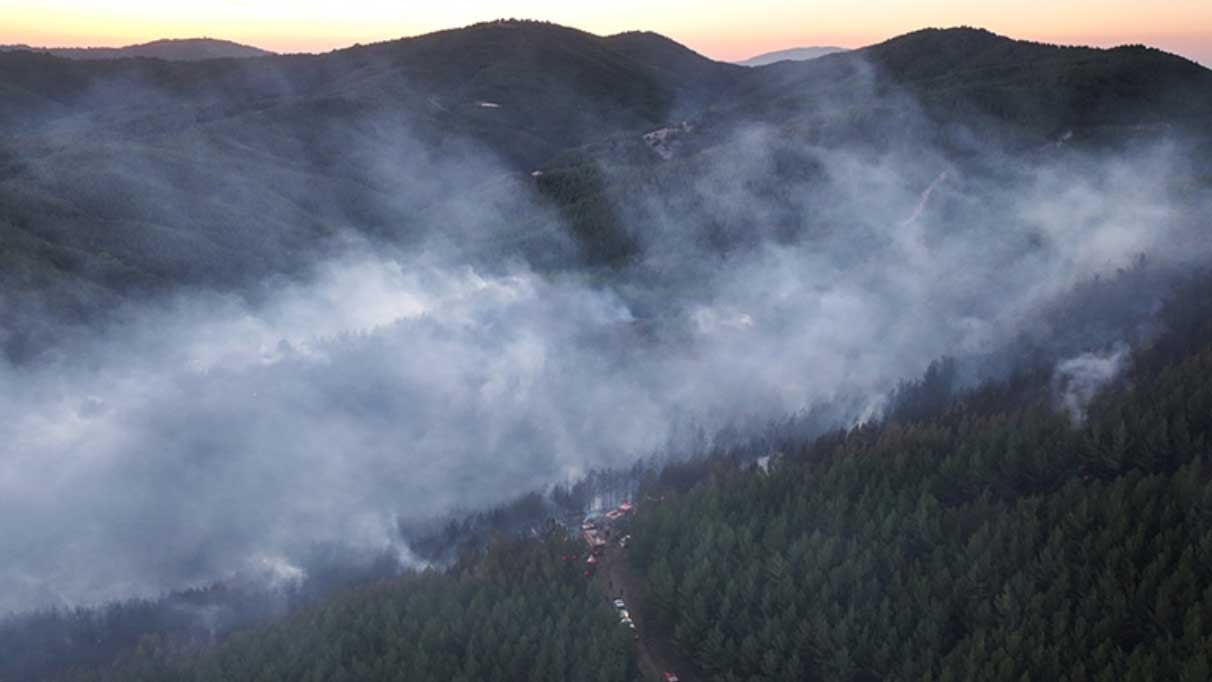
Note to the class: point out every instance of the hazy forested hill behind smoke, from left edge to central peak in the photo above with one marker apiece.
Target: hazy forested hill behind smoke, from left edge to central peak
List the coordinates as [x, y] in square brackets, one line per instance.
[293, 148]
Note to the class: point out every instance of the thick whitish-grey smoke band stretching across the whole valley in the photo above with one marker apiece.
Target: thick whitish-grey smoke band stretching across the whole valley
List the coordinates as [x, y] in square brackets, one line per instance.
[219, 434]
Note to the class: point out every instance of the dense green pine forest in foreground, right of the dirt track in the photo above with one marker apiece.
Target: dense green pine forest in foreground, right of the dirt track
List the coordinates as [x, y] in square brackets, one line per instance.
[965, 547]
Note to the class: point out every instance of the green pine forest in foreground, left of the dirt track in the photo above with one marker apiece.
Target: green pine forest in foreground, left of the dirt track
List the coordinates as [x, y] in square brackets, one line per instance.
[518, 614]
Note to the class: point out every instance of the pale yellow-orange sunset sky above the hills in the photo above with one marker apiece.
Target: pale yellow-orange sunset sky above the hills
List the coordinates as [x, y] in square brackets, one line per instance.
[724, 31]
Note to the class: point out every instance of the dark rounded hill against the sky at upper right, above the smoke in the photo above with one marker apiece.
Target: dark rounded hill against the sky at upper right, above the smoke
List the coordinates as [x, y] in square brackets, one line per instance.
[979, 79]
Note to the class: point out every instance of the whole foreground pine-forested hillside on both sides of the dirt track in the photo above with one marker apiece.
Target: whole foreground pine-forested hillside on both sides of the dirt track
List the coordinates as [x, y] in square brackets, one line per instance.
[993, 535]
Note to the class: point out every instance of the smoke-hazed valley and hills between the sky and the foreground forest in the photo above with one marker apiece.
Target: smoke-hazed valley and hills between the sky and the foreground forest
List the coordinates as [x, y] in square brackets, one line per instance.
[258, 308]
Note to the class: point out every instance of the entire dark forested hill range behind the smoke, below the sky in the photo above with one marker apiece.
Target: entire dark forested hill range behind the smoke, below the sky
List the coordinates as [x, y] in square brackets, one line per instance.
[300, 148]
